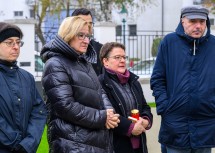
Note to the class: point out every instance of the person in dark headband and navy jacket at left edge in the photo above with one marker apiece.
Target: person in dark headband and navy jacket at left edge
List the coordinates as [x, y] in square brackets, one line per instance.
[22, 111]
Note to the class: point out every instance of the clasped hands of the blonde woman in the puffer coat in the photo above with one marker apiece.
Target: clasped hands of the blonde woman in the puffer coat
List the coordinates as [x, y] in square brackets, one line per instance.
[112, 119]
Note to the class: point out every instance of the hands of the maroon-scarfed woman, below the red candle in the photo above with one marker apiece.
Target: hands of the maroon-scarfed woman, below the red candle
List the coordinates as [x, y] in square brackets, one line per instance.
[140, 126]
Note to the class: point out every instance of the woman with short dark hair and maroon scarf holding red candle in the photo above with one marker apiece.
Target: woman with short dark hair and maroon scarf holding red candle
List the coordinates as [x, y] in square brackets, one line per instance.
[126, 96]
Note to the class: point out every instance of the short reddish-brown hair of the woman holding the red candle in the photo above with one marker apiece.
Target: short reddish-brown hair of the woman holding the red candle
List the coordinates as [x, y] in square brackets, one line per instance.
[107, 48]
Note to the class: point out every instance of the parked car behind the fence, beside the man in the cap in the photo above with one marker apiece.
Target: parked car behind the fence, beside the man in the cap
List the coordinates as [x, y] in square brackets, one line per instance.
[143, 68]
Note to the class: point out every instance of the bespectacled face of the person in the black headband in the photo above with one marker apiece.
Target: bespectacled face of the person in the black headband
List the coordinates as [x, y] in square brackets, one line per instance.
[10, 53]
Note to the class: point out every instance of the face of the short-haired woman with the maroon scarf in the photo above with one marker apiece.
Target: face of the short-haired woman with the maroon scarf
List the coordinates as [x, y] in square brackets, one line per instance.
[116, 60]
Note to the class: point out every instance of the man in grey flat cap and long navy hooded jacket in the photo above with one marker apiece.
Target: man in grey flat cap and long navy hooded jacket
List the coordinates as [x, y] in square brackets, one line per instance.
[183, 84]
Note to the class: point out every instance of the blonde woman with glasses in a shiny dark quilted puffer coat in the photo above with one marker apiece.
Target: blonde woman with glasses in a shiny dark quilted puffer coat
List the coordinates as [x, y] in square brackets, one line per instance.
[80, 113]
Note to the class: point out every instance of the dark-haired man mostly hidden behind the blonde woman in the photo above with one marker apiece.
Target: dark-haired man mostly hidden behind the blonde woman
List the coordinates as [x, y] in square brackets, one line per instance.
[93, 45]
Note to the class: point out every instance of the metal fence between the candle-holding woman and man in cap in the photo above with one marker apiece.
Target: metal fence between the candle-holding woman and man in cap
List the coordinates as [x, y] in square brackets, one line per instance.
[141, 50]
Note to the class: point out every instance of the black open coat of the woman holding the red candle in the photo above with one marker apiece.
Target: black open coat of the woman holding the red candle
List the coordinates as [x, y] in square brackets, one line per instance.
[121, 142]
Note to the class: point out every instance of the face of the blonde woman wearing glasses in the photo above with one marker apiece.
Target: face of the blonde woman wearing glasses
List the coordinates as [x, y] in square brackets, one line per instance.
[81, 41]
